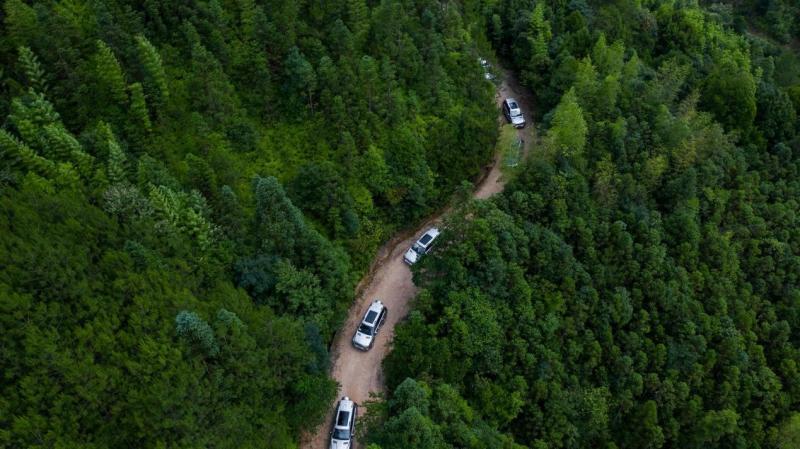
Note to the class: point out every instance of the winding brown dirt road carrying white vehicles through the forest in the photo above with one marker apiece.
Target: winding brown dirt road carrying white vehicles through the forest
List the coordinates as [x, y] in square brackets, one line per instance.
[389, 279]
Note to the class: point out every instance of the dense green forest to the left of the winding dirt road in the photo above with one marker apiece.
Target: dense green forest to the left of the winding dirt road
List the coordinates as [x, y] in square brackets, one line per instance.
[189, 191]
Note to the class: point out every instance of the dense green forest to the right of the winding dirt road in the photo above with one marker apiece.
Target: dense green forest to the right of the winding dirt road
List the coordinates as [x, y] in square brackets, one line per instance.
[637, 285]
